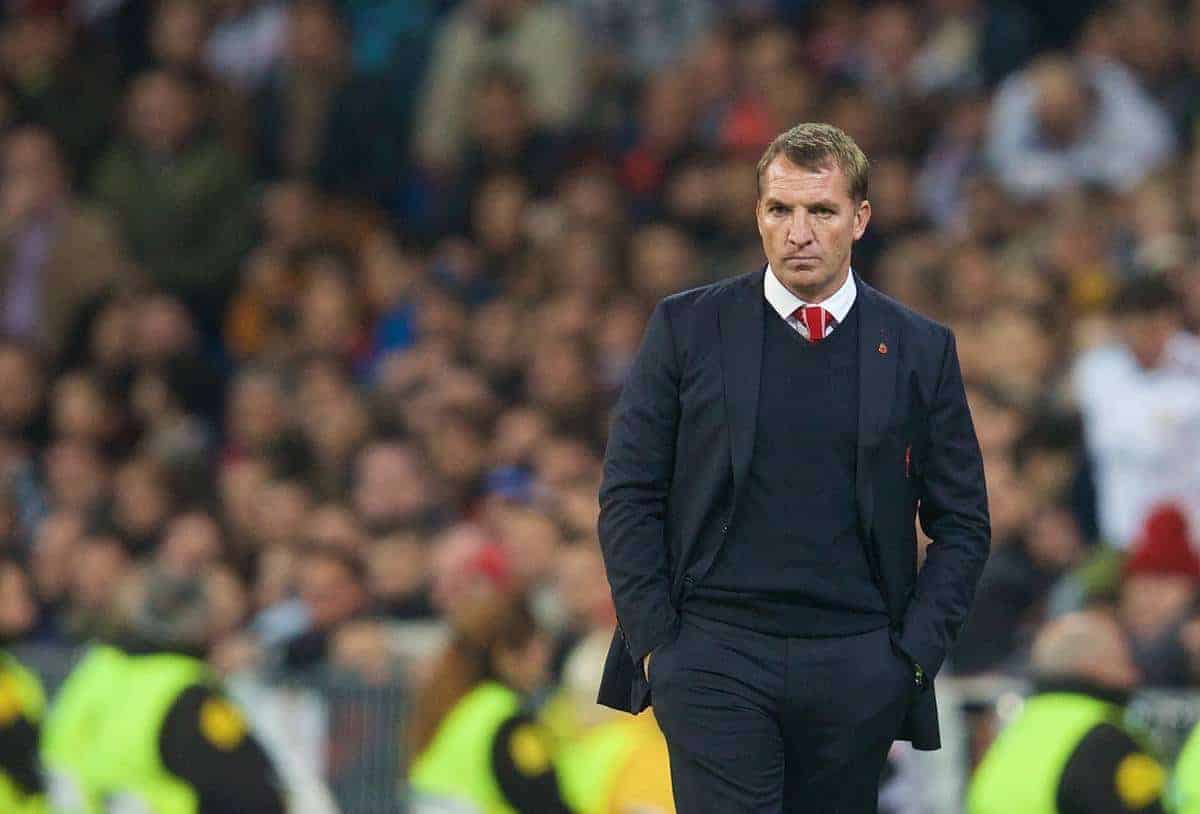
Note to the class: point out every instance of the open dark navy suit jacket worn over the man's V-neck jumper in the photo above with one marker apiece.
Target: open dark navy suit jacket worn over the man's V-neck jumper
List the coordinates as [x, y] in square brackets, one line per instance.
[680, 451]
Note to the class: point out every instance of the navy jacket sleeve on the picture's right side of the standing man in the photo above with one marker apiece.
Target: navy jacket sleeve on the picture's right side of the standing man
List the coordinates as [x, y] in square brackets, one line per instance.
[955, 516]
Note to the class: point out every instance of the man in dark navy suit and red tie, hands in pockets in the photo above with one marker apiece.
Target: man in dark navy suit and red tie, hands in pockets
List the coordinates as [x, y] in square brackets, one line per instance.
[773, 445]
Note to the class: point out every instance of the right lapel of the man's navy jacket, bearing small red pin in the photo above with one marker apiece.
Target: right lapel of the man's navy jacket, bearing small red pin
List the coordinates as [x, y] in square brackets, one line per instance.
[878, 351]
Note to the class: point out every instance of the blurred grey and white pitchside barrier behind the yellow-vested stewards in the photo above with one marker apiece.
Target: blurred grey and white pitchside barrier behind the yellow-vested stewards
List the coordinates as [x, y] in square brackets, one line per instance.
[339, 739]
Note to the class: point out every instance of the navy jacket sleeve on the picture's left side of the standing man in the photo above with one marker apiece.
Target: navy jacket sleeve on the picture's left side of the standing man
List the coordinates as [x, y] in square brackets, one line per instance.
[638, 470]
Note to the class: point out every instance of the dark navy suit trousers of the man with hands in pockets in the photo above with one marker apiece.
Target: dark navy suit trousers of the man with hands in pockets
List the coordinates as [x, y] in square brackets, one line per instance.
[761, 725]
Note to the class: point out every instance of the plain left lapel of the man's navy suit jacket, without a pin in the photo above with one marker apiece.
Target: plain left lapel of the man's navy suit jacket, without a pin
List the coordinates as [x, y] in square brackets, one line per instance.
[742, 326]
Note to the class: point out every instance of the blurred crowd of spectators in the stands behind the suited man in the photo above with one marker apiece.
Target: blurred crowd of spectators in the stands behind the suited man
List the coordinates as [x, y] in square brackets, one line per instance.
[328, 302]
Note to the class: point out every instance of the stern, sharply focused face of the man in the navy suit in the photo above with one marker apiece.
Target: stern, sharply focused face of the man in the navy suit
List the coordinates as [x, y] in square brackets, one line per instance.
[808, 223]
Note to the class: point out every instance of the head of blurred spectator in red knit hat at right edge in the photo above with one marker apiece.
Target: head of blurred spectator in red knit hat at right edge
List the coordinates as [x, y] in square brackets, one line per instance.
[1160, 586]
